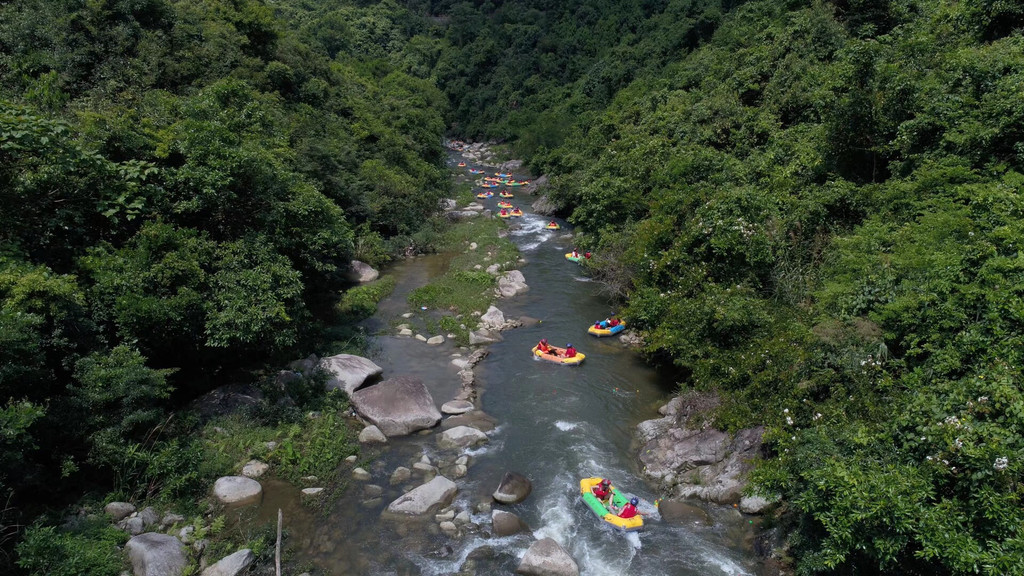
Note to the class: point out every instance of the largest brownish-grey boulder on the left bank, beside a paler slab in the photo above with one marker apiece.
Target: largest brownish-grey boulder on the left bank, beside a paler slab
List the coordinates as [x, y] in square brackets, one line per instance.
[399, 406]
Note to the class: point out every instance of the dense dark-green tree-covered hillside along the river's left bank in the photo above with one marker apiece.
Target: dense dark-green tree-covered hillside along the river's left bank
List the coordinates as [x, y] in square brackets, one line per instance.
[184, 185]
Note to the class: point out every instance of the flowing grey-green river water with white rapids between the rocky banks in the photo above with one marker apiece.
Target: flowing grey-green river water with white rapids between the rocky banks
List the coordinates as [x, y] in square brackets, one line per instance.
[556, 425]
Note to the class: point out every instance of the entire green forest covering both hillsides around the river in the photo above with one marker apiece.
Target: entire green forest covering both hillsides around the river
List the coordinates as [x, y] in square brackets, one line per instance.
[808, 208]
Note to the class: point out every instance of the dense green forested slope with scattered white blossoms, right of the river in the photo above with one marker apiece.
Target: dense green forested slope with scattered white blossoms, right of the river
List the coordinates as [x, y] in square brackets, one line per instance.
[814, 210]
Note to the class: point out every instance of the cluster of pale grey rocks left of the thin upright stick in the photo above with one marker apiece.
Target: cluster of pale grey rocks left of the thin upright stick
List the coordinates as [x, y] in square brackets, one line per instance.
[163, 545]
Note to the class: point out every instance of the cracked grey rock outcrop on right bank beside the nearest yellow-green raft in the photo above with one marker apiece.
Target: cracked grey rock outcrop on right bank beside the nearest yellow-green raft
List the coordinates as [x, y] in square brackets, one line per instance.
[689, 461]
